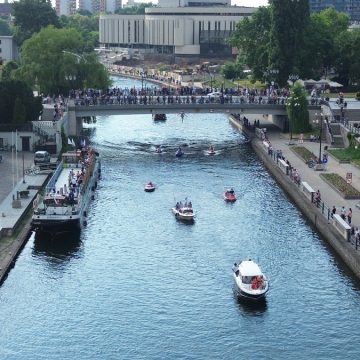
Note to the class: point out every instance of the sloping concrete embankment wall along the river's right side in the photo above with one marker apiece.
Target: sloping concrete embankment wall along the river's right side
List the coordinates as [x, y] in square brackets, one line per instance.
[343, 248]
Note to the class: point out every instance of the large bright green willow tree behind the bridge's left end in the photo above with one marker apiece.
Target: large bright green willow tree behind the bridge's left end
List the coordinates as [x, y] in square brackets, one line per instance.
[56, 61]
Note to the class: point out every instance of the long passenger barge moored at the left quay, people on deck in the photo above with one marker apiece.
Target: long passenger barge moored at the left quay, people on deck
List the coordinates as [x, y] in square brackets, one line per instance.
[68, 193]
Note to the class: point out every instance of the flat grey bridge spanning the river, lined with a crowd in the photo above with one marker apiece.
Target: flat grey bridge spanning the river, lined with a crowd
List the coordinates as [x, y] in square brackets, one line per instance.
[80, 108]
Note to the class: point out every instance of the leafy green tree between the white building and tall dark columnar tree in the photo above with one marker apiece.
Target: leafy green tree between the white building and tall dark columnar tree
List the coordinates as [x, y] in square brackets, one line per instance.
[252, 37]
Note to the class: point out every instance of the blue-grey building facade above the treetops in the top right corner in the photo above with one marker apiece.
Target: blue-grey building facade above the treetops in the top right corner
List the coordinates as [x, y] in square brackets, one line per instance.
[350, 7]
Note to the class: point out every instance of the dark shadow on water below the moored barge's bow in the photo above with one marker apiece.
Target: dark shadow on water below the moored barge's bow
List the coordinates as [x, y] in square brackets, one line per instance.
[57, 246]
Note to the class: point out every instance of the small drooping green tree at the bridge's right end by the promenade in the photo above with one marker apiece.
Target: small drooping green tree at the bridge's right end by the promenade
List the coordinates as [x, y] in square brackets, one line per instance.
[297, 110]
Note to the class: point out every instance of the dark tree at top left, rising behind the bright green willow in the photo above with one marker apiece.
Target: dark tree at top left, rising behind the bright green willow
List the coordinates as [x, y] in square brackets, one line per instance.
[31, 16]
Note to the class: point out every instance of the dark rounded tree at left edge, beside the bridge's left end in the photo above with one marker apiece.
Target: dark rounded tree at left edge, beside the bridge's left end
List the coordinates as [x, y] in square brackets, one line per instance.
[17, 103]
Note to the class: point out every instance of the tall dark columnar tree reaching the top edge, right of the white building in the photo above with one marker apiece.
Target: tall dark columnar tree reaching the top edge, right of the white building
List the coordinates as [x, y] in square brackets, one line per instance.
[289, 19]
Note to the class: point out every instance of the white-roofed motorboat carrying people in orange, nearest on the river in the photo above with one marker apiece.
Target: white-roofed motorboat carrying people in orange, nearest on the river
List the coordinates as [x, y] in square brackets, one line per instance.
[250, 282]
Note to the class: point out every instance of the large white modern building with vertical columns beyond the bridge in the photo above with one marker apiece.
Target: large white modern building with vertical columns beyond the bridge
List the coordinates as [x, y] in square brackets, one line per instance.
[182, 28]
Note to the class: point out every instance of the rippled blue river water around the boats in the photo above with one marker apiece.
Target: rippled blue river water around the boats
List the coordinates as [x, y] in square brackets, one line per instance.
[137, 284]
